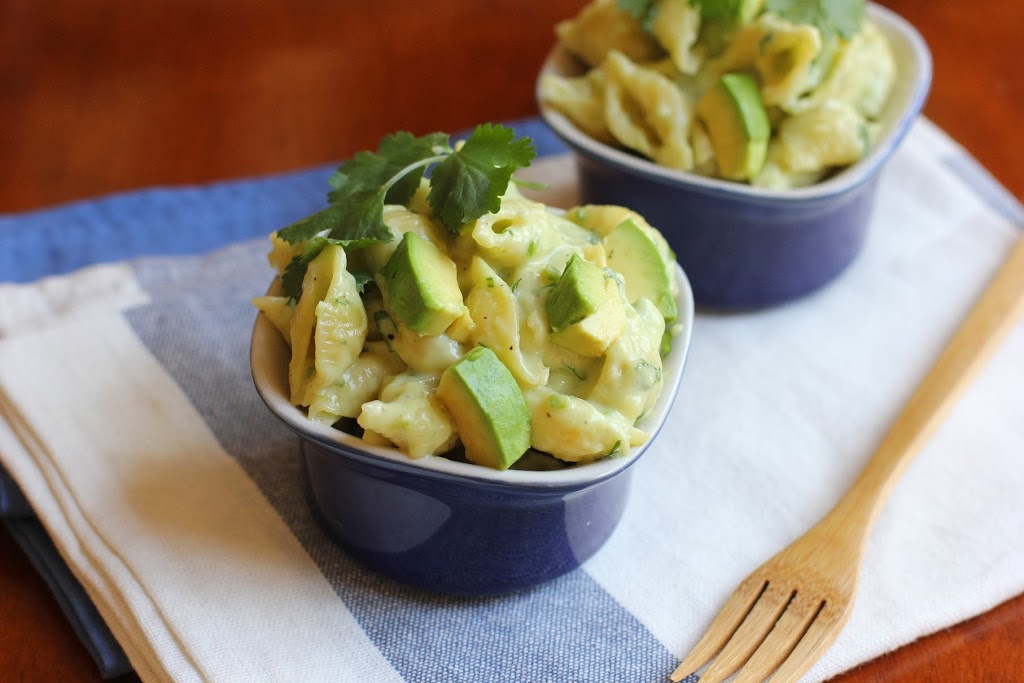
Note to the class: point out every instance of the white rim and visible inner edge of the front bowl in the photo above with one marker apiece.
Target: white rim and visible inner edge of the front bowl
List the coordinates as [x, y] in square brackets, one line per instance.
[270, 355]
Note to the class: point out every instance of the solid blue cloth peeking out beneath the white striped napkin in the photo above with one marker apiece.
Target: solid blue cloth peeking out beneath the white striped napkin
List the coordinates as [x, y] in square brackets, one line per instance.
[178, 221]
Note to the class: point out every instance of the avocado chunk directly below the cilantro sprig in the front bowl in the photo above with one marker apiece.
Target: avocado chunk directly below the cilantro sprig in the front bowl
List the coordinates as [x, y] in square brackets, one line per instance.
[422, 286]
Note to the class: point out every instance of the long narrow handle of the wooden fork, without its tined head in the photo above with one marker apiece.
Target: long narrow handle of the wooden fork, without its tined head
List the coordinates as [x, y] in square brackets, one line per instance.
[1000, 306]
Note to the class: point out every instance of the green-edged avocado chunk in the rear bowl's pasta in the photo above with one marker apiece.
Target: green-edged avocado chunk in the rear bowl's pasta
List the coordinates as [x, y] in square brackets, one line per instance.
[738, 125]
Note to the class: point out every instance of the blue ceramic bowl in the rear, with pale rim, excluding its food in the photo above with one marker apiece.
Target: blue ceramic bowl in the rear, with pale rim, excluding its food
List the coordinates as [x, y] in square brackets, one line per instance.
[744, 247]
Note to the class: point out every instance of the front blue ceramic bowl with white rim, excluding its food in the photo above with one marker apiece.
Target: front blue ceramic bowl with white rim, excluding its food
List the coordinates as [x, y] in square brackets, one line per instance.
[450, 527]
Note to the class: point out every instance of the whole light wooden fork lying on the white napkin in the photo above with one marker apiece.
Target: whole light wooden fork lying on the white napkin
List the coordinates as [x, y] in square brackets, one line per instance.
[785, 616]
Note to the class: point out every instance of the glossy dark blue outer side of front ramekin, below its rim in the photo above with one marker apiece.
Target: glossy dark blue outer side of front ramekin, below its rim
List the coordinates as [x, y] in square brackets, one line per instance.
[448, 535]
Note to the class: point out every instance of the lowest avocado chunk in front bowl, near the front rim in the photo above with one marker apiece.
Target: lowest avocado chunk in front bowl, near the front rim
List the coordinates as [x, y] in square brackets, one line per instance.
[488, 408]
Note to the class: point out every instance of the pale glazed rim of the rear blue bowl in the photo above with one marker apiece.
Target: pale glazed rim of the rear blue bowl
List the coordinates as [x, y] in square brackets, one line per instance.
[893, 27]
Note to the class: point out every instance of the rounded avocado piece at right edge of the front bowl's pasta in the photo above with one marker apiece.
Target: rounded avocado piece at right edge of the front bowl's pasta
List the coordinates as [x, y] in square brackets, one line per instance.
[634, 253]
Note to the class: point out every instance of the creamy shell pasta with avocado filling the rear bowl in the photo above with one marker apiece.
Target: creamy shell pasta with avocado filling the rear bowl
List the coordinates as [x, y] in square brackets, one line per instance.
[752, 92]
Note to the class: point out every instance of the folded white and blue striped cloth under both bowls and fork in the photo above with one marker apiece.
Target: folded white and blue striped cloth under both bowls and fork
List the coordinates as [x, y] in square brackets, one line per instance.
[130, 422]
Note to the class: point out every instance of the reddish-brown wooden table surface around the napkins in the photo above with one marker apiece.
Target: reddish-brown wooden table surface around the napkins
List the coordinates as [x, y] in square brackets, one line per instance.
[116, 95]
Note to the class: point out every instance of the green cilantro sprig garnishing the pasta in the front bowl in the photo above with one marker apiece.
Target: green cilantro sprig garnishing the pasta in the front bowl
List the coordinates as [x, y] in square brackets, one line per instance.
[466, 184]
